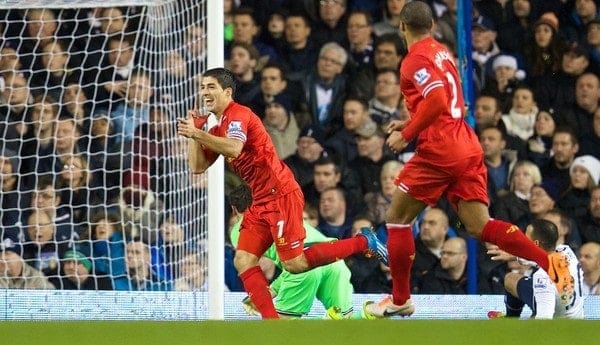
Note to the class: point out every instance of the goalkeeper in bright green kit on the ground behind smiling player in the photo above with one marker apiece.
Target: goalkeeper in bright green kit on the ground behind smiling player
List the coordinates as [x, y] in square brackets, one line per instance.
[295, 293]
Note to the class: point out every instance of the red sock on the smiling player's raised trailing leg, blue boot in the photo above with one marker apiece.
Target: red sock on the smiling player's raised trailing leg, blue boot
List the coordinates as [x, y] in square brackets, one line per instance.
[327, 252]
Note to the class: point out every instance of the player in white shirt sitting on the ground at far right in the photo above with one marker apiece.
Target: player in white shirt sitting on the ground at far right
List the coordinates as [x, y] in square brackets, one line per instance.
[534, 287]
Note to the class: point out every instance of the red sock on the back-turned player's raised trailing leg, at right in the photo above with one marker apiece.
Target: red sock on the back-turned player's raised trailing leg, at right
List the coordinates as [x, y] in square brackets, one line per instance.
[512, 240]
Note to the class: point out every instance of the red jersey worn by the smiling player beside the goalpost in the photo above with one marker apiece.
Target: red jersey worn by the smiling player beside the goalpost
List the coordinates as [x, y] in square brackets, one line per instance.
[258, 163]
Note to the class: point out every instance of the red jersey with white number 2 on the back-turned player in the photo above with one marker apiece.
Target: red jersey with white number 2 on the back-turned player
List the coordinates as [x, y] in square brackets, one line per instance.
[427, 66]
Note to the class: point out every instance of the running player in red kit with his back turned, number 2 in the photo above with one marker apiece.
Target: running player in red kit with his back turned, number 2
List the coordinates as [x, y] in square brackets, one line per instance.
[448, 162]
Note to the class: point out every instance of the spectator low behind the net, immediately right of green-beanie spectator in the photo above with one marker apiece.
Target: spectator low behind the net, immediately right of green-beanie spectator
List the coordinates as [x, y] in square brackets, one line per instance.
[139, 270]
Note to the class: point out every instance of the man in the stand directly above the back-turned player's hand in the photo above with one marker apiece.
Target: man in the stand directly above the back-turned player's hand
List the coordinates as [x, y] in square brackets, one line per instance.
[388, 103]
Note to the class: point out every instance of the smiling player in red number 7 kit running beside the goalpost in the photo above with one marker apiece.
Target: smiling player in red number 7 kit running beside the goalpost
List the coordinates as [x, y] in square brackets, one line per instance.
[275, 215]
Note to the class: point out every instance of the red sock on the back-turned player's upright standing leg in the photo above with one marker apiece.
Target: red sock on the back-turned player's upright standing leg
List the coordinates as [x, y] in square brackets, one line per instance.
[401, 253]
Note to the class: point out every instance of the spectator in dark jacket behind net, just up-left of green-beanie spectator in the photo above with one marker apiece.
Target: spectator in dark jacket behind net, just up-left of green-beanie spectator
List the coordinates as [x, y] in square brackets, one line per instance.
[46, 243]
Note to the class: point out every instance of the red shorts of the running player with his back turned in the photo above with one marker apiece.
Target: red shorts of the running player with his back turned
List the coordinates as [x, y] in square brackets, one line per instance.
[464, 179]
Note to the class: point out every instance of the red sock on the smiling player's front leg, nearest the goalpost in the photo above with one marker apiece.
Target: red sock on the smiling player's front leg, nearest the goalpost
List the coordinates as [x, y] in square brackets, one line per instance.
[257, 287]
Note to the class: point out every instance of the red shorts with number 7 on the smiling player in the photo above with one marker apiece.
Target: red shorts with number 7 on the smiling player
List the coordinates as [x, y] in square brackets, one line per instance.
[278, 221]
